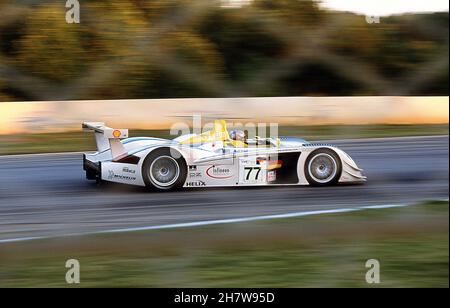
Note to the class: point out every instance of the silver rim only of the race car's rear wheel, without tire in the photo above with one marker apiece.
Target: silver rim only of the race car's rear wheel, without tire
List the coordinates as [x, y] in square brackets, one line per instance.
[164, 171]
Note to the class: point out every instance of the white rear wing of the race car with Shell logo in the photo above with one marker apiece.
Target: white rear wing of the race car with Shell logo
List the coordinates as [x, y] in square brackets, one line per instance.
[107, 137]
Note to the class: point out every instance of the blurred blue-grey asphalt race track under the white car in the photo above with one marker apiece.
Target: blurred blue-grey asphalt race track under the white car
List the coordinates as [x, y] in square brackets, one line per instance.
[47, 195]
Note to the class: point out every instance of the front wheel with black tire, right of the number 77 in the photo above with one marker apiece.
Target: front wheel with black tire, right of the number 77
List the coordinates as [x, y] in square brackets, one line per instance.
[323, 177]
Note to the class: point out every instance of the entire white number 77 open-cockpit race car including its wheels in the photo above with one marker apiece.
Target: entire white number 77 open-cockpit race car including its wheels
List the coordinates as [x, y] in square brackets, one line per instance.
[213, 159]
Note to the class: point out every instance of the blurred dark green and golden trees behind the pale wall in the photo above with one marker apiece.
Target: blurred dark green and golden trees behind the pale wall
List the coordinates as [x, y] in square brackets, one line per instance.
[181, 48]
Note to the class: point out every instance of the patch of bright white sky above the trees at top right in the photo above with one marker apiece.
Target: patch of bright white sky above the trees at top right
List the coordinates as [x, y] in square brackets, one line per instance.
[387, 7]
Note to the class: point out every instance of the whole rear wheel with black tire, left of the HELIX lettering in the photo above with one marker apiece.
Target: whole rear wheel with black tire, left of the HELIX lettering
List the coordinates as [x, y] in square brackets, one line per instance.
[155, 163]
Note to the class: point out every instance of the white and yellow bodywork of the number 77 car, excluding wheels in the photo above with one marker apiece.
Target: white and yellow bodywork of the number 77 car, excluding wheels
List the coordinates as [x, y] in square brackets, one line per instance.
[212, 161]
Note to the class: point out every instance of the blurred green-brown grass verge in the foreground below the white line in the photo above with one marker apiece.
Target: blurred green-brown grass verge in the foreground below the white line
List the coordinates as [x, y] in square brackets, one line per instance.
[411, 244]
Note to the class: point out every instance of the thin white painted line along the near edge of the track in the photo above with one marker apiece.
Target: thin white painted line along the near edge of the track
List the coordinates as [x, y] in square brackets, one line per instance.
[215, 222]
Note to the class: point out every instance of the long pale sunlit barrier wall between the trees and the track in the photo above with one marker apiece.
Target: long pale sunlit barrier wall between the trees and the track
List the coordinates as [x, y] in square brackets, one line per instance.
[163, 113]
